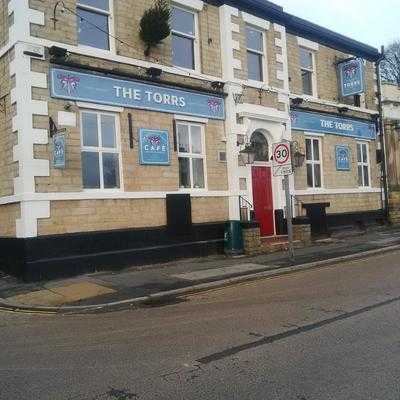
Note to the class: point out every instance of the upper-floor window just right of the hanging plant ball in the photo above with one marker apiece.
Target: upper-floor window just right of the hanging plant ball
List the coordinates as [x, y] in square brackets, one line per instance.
[183, 32]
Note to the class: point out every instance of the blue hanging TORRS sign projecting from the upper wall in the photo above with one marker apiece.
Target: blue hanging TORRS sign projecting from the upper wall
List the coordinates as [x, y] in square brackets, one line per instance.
[351, 76]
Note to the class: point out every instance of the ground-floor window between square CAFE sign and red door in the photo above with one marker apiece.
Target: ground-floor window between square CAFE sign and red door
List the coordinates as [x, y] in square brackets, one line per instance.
[191, 155]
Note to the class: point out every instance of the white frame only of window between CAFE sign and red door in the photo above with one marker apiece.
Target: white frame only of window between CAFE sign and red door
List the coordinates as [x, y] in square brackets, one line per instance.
[190, 155]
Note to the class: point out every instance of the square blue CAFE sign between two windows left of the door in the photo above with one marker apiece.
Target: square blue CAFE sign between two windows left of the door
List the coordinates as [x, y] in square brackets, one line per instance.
[154, 147]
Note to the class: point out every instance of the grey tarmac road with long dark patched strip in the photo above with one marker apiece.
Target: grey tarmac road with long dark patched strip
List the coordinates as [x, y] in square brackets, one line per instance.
[329, 333]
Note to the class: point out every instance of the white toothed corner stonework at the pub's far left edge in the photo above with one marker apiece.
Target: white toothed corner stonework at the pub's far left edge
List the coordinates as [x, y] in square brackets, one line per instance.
[22, 123]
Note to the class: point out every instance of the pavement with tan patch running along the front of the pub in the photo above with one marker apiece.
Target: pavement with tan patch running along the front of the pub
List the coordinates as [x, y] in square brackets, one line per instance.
[163, 283]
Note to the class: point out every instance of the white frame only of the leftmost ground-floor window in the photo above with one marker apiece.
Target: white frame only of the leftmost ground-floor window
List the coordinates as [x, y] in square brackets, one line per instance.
[100, 149]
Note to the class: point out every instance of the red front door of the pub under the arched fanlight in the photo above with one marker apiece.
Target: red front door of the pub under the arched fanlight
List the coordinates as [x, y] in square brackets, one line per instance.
[262, 199]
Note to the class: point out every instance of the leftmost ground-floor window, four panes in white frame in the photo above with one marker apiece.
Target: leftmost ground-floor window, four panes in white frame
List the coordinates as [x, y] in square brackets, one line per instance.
[100, 150]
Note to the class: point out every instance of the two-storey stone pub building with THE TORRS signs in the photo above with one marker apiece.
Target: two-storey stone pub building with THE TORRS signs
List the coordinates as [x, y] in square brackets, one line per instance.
[112, 157]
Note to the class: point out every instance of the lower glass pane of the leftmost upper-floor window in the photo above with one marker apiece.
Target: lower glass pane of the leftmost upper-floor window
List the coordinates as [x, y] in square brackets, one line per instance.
[90, 35]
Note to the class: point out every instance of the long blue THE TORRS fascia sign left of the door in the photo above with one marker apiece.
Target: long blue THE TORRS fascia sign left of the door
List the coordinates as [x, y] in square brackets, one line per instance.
[100, 89]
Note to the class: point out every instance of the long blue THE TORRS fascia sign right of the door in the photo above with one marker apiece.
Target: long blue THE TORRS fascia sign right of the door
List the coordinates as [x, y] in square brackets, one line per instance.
[322, 123]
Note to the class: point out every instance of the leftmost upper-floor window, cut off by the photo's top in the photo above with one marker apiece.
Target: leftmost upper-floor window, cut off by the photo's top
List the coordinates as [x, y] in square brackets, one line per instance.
[93, 20]
